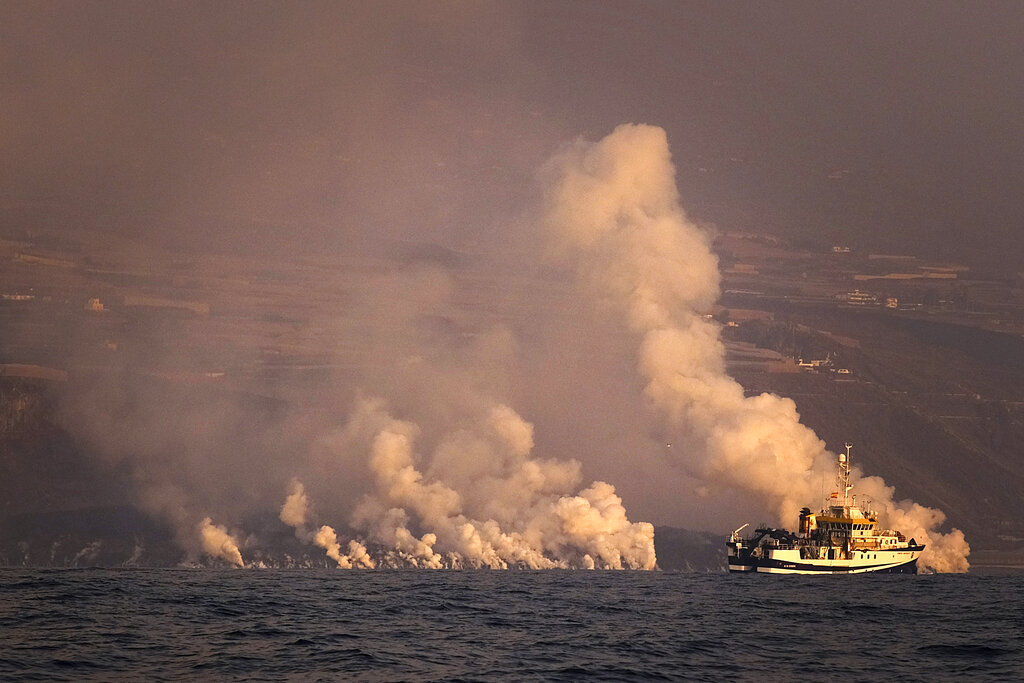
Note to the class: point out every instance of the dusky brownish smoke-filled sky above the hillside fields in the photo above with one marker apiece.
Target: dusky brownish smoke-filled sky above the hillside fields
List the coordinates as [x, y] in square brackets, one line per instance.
[888, 125]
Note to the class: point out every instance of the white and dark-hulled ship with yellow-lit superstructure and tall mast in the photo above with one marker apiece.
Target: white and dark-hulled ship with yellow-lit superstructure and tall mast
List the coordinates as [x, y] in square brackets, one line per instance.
[842, 538]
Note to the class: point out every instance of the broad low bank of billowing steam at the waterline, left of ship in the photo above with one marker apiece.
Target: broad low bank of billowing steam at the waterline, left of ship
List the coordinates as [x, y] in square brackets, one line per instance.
[486, 503]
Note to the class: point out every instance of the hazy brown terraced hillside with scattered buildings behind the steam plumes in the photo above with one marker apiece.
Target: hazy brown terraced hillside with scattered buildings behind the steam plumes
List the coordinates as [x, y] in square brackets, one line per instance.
[141, 365]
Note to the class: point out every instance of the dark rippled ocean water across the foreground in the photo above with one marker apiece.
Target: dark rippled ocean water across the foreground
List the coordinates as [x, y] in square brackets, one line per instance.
[109, 625]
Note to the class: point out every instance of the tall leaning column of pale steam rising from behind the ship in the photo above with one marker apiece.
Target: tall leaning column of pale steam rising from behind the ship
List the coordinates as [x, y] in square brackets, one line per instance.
[613, 208]
